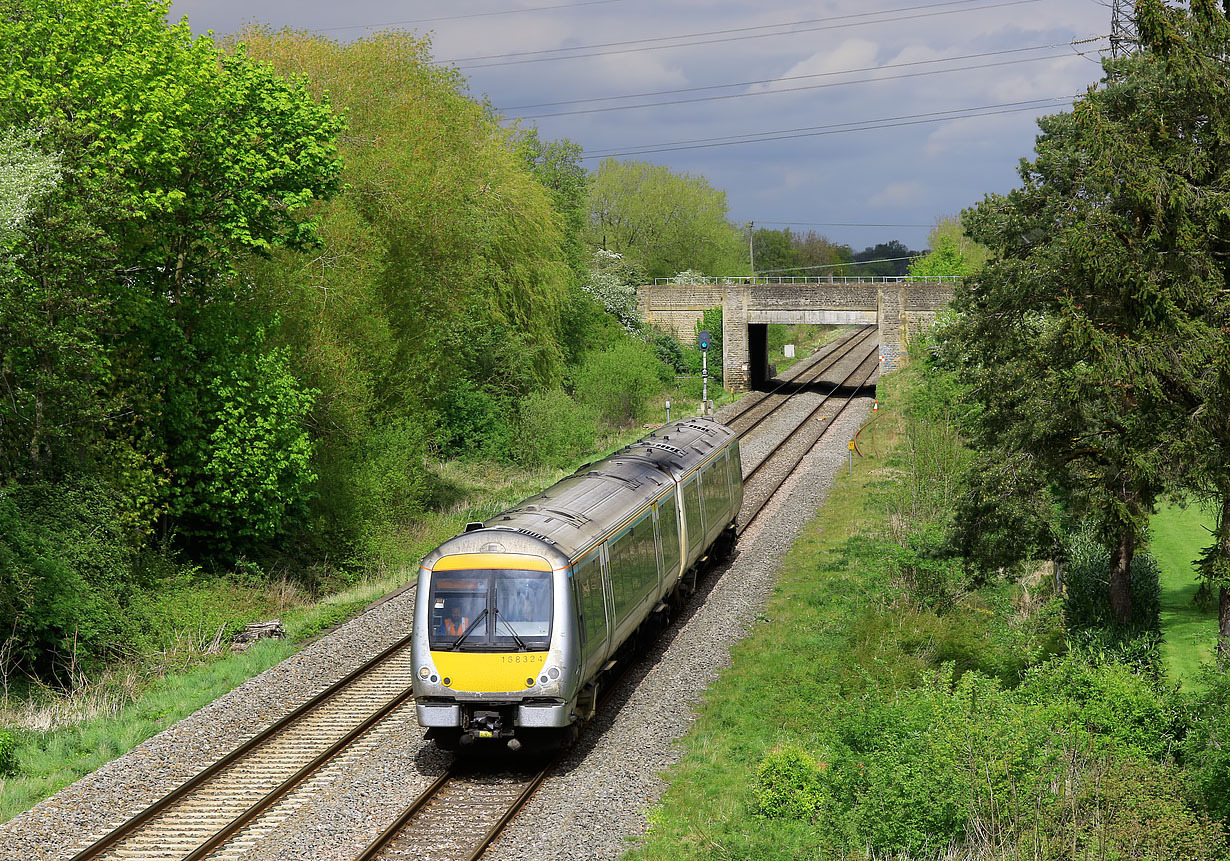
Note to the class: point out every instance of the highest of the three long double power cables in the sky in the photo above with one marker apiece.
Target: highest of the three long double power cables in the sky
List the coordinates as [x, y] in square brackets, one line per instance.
[745, 34]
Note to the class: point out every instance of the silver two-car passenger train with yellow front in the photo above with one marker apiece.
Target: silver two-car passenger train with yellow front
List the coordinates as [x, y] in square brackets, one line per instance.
[522, 619]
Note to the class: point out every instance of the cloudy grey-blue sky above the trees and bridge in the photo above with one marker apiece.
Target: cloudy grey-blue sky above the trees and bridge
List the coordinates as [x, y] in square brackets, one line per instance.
[865, 121]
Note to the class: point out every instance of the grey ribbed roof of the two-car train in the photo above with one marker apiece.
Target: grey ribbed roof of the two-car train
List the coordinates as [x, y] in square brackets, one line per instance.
[571, 515]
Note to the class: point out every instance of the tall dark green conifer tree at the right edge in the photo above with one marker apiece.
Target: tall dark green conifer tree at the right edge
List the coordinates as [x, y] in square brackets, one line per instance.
[1092, 333]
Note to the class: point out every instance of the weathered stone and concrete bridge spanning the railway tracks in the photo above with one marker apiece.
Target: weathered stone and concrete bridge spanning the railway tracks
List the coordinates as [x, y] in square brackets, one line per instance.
[897, 306]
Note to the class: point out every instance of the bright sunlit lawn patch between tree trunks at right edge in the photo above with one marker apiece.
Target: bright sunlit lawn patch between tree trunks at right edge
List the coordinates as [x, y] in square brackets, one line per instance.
[1191, 633]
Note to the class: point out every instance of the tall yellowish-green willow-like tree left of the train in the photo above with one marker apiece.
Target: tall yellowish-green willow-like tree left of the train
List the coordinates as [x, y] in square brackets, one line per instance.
[441, 298]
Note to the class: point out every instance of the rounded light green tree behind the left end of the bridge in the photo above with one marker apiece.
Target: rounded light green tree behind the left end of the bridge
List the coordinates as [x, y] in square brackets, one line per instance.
[662, 221]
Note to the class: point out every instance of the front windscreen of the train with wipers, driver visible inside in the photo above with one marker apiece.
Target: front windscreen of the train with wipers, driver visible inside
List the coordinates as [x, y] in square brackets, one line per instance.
[491, 611]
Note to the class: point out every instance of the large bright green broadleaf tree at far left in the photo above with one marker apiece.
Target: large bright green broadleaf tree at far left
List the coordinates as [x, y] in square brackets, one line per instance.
[179, 163]
